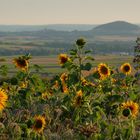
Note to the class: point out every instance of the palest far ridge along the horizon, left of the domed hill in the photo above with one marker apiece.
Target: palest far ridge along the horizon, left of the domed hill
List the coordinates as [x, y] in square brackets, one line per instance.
[57, 27]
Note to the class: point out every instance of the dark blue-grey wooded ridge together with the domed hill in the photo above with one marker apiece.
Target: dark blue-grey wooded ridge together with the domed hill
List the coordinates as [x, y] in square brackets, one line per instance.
[114, 28]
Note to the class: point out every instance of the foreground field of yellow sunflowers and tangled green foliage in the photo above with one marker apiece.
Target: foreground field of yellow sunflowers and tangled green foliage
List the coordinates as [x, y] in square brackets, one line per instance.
[71, 106]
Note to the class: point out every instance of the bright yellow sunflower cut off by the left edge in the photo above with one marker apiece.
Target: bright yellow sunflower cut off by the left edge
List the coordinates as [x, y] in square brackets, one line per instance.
[3, 99]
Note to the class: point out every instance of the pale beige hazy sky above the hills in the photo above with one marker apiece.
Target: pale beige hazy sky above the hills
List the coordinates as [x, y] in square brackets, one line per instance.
[68, 11]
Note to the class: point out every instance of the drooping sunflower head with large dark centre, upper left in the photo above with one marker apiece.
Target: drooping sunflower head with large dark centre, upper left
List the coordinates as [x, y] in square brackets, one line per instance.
[21, 63]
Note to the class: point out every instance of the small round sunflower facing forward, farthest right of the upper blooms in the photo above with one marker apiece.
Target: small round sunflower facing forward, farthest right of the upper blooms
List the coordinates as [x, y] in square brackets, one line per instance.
[126, 68]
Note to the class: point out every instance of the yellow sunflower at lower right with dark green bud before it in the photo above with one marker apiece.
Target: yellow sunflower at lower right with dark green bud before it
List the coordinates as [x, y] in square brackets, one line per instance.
[130, 108]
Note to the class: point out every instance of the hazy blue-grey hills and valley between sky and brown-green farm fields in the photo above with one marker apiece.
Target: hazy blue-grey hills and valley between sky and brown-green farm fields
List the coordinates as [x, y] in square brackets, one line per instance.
[113, 37]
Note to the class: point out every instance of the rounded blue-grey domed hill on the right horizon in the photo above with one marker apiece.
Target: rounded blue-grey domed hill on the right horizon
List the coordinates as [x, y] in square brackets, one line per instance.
[117, 28]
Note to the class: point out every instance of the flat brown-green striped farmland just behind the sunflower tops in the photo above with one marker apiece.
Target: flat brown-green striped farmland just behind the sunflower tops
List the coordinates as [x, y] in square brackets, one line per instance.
[50, 64]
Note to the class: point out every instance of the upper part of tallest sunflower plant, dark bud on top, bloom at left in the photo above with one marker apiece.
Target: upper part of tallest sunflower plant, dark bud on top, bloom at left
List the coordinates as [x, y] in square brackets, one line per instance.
[78, 59]
